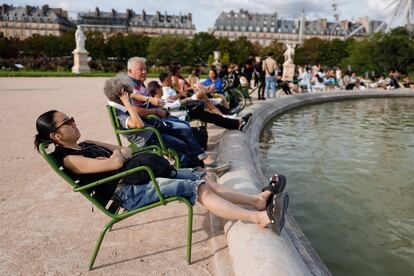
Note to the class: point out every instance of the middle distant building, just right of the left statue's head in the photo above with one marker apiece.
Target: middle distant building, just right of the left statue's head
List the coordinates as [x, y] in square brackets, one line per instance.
[158, 24]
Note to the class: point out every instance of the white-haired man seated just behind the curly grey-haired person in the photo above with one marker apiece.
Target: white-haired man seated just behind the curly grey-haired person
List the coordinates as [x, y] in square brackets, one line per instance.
[143, 103]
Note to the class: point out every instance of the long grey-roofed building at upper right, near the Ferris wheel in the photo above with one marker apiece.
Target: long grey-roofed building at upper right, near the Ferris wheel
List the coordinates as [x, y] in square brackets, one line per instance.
[264, 28]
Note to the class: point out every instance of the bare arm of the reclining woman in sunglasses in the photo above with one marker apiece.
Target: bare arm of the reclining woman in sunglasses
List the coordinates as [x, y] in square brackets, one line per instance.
[82, 165]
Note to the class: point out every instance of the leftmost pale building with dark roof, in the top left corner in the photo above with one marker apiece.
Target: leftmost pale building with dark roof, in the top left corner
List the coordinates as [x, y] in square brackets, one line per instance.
[23, 22]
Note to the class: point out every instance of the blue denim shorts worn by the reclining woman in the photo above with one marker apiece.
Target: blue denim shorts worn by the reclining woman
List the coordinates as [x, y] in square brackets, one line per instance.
[183, 182]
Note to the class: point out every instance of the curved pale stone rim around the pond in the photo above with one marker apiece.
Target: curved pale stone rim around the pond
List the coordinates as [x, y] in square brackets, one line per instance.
[256, 251]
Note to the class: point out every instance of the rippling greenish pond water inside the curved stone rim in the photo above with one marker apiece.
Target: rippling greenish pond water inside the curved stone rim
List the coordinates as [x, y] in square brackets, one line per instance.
[349, 166]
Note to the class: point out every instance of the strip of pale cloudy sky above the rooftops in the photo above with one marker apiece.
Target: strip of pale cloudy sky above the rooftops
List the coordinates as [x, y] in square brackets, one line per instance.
[205, 12]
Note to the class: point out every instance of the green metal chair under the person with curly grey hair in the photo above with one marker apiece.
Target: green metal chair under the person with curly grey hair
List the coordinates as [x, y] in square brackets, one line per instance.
[160, 149]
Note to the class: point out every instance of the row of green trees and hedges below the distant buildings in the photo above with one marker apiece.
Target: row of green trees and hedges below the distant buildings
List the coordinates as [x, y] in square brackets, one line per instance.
[379, 52]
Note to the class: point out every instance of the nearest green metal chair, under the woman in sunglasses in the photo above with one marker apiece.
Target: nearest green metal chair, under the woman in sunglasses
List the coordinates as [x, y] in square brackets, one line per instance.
[111, 208]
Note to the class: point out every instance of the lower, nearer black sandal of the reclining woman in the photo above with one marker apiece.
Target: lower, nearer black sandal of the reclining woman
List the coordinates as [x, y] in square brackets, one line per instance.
[276, 212]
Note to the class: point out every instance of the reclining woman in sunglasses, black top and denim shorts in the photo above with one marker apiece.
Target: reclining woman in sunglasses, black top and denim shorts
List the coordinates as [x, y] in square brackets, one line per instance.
[90, 161]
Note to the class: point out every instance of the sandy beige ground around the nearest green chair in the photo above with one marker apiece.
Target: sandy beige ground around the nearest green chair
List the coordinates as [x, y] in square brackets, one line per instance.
[48, 229]
